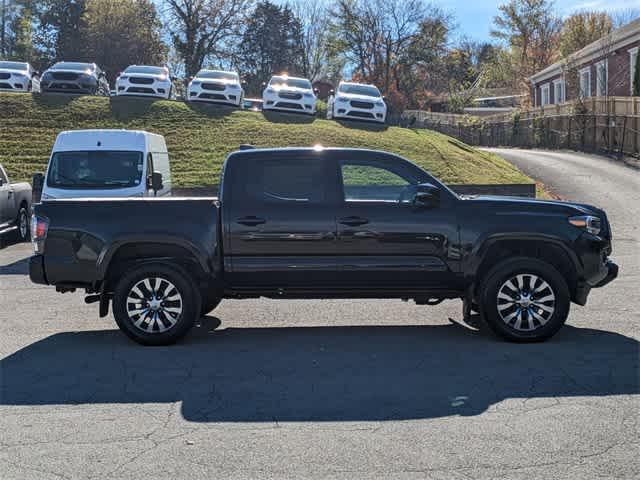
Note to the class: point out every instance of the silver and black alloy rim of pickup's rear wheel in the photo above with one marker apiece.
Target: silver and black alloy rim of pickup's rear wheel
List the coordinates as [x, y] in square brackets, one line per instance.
[154, 305]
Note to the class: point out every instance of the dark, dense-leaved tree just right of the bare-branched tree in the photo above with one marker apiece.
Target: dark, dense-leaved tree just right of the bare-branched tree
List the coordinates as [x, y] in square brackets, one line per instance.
[271, 44]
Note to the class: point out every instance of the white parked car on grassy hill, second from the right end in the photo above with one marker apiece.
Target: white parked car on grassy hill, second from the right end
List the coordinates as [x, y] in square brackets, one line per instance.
[291, 94]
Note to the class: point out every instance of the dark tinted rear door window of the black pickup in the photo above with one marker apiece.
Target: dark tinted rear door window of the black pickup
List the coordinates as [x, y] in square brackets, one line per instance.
[294, 180]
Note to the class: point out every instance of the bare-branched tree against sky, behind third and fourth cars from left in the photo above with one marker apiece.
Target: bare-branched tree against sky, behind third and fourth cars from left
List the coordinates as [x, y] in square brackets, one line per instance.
[205, 29]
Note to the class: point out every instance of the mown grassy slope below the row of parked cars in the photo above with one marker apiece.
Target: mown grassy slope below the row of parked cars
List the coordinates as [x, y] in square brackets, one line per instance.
[199, 137]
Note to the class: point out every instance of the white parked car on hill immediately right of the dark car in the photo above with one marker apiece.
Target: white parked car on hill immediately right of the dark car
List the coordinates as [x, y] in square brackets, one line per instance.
[145, 80]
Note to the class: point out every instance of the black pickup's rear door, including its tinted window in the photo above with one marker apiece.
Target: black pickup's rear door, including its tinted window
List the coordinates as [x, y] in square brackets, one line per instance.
[278, 220]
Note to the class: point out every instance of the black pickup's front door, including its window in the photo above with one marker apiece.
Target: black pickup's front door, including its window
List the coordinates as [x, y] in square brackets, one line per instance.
[387, 241]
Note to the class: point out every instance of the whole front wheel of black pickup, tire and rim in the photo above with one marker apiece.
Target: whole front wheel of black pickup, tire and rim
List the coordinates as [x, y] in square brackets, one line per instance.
[533, 322]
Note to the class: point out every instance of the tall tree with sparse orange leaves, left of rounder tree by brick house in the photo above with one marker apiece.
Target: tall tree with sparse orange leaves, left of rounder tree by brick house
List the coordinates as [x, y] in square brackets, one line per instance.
[531, 29]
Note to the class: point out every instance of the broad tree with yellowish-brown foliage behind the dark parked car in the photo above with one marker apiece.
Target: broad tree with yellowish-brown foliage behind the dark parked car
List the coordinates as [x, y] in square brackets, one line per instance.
[110, 41]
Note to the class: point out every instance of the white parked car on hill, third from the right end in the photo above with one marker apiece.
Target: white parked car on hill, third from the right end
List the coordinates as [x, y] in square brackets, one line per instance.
[216, 86]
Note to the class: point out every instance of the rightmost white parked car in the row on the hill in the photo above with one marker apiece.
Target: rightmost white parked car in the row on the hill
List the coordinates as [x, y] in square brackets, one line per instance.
[358, 101]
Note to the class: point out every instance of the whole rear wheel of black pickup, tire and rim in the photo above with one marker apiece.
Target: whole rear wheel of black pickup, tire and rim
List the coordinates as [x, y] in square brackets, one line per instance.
[149, 332]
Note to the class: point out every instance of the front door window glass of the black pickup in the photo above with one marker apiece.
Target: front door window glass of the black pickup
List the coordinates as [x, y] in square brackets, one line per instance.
[364, 182]
